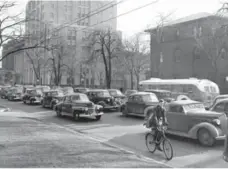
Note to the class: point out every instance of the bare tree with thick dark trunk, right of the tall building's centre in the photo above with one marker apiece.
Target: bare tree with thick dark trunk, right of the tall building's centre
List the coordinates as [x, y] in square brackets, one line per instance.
[105, 43]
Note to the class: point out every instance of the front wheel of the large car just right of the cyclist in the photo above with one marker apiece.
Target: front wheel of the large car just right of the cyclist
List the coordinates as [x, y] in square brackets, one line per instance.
[205, 137]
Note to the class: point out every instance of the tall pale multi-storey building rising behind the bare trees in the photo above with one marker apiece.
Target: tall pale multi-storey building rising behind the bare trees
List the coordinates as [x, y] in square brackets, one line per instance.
[65, 21]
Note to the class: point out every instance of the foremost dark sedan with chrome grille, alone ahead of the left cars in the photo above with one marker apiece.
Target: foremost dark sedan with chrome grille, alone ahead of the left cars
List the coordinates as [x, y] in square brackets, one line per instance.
[78, 105]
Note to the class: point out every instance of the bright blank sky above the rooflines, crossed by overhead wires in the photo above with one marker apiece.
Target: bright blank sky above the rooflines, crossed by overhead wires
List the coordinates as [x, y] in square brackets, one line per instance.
[139, 20]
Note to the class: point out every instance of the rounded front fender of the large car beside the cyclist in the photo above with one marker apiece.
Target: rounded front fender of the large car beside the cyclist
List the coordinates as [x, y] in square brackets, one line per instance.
[194, 130]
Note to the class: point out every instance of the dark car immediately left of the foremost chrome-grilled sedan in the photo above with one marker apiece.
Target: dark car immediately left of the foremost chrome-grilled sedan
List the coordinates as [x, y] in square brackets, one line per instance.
[51, 98]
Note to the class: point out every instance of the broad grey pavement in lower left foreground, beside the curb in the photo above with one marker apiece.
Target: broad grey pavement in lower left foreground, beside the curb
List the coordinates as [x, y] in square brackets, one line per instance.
[30, 143]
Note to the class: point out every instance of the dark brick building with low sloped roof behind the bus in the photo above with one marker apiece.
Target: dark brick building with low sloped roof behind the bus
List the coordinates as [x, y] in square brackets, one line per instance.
[194, 46]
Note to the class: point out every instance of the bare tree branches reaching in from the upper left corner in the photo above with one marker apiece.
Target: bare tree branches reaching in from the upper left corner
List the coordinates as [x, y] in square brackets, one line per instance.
[12, 28]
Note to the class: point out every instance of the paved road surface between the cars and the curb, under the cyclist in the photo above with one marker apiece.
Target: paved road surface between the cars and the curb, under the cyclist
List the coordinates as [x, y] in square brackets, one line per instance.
[126, 132]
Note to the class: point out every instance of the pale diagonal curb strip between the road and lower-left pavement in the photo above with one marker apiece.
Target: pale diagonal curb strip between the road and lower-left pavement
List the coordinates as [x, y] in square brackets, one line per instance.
[142, 157]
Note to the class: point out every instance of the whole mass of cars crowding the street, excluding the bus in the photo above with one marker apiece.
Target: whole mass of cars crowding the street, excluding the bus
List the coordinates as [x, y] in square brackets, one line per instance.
[186, 117]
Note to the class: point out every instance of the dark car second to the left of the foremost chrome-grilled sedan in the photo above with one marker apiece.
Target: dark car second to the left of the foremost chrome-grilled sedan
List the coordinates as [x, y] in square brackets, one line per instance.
[32, 96]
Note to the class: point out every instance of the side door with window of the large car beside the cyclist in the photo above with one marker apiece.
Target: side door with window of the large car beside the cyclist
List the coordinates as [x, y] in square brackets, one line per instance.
[177, 119]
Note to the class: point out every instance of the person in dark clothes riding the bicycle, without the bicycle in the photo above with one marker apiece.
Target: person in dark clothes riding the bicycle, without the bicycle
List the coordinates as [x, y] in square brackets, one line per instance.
[153, 117]
